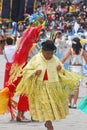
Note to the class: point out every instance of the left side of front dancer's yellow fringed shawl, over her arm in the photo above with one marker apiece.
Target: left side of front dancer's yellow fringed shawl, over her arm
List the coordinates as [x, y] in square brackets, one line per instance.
[28, 75]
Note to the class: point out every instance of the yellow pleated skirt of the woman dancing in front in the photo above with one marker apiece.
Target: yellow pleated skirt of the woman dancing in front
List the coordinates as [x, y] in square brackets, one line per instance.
[47, 101]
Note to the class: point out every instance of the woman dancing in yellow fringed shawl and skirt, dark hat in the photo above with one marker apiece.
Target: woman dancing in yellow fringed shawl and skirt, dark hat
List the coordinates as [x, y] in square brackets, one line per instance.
[44, 81]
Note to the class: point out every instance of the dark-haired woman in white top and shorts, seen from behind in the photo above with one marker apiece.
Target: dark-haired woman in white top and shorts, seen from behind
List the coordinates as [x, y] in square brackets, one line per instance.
[78, 55]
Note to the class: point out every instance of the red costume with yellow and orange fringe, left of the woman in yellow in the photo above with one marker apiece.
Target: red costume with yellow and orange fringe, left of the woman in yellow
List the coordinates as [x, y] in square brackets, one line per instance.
[29, 37]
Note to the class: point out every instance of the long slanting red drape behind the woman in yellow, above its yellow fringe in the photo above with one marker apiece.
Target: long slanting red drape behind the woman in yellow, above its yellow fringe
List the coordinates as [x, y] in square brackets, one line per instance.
[29, 37]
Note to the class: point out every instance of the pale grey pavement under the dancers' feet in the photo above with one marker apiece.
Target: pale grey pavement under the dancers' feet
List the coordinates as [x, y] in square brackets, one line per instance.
[76, 120]
